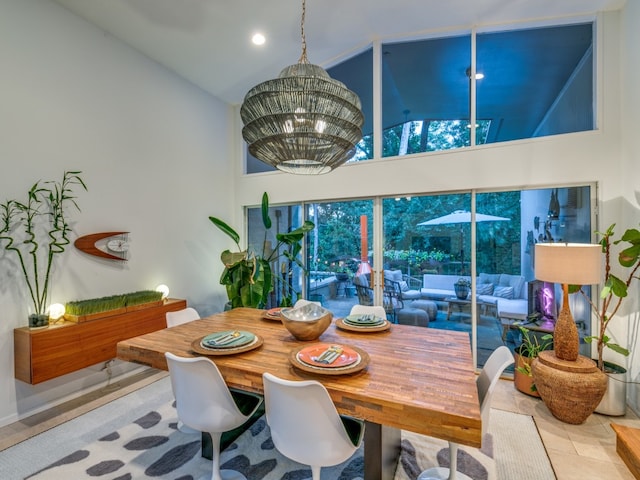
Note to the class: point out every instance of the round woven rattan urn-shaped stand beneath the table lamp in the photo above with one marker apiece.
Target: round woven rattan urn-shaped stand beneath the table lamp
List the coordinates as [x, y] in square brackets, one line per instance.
[571, 390]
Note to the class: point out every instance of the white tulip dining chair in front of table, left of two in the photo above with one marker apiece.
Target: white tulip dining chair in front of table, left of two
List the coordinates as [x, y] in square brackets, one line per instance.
[205, 403]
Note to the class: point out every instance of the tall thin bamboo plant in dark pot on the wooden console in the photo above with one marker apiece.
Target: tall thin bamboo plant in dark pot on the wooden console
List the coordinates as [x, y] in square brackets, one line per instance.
[36, 231]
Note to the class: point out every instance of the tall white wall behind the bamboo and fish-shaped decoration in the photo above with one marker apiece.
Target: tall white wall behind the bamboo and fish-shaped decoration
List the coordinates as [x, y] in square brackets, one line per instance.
[155, 152]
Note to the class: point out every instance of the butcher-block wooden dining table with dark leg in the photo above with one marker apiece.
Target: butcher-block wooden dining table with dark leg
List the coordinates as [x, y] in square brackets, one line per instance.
[417, 379]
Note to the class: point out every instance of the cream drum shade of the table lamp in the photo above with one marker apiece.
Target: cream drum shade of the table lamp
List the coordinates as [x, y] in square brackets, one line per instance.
[568, 263]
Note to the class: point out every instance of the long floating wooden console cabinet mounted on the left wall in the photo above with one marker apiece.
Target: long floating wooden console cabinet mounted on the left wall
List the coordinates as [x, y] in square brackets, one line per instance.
[41, 355]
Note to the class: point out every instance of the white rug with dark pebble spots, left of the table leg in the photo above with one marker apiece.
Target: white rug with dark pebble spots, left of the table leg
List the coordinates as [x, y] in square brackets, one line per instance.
[153, 447]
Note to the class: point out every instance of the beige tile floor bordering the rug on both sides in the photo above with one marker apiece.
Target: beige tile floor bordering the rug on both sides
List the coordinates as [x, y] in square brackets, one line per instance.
[577, 452]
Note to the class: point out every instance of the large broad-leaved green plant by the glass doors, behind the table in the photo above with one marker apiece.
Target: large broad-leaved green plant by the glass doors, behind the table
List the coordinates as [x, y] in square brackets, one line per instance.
[248, 276]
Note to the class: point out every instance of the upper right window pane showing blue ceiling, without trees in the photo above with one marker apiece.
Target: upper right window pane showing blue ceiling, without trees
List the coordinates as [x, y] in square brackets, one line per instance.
[536, 82]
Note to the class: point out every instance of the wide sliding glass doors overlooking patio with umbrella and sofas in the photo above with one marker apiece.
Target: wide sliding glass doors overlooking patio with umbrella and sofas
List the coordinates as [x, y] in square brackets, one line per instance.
[428, 243]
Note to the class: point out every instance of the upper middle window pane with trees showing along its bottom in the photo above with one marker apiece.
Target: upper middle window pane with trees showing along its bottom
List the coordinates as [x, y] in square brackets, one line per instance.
[425, 95]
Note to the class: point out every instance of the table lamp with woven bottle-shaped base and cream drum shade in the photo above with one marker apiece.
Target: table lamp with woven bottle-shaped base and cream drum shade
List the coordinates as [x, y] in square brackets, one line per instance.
[567, 264]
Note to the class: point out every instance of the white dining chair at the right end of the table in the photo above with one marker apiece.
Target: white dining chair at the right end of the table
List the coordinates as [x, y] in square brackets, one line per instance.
[500, 359]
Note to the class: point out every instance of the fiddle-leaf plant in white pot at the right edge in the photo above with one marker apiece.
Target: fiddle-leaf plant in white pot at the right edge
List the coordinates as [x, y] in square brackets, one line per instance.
[612, 294]
